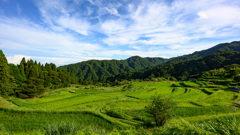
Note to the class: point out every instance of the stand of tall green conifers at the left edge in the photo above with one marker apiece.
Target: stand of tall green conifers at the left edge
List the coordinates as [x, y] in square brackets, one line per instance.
[29, 78]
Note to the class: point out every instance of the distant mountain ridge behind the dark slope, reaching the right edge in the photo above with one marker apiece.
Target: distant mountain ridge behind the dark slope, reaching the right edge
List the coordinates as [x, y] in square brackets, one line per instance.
[99, 69]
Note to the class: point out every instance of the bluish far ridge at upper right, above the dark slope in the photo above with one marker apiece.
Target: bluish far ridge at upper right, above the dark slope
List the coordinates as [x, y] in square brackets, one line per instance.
[233, 46]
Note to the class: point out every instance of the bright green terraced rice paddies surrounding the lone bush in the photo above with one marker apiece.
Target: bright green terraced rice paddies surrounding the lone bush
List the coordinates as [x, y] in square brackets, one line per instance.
[102, 109]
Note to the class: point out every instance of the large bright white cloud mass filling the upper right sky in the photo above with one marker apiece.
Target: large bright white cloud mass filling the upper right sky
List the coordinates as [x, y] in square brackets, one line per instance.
[193, 20]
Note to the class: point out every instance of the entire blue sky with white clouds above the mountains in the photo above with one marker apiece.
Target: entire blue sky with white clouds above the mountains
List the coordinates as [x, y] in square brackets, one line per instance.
[70, 31]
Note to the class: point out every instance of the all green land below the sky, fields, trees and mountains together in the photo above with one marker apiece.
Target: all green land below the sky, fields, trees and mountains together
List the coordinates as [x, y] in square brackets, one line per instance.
[54, 101]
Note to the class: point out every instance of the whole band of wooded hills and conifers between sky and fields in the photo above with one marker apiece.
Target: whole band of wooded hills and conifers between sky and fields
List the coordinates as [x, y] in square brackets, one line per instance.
[30, 78]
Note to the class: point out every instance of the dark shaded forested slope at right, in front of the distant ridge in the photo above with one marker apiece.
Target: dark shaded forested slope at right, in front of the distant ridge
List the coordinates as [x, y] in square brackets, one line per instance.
[183, 70]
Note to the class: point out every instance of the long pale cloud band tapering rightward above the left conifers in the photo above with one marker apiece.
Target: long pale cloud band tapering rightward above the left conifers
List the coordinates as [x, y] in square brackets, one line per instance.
[22, 35]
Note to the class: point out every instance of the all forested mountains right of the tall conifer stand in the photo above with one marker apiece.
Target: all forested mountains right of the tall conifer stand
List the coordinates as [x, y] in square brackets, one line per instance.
[98, 70]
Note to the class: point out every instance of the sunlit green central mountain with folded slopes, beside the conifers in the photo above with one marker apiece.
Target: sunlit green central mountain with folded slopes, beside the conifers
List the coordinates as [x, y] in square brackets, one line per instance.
[98, 69]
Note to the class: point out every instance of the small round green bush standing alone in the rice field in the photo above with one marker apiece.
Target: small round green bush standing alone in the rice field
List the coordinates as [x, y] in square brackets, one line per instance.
[160, 109]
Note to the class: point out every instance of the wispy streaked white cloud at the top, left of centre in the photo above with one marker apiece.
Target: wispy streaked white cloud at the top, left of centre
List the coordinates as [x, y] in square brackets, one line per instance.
[59, 15]
